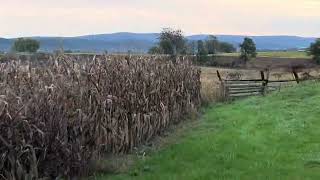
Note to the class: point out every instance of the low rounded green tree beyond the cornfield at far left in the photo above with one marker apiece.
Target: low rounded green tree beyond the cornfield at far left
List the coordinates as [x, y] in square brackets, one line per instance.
[26, 45]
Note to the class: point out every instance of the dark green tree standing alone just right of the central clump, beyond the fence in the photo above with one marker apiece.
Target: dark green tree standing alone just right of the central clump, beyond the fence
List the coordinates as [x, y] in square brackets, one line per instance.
[248, 49]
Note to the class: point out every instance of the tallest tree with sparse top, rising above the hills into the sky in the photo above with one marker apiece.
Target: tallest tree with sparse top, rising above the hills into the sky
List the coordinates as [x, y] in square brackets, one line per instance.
[172, 41]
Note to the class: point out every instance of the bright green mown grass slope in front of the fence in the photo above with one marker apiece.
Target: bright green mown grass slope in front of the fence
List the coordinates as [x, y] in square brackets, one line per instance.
[276, 137]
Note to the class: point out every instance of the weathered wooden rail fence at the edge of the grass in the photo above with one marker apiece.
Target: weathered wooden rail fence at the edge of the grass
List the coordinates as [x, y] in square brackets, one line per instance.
[250, 87]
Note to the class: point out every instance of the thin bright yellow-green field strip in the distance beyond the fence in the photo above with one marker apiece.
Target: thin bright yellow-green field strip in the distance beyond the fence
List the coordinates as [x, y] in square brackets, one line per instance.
[276, 54]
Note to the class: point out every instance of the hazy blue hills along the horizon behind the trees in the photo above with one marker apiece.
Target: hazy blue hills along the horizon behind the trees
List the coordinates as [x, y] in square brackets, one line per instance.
[141, 42]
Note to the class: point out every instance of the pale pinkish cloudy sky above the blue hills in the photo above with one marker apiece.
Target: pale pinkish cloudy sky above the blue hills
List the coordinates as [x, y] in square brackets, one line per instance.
[20, 18]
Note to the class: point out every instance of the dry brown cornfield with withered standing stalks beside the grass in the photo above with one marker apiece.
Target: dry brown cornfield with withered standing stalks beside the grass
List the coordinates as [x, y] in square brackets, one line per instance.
[58, 114]
